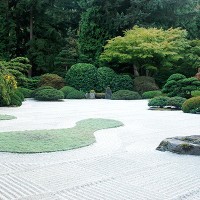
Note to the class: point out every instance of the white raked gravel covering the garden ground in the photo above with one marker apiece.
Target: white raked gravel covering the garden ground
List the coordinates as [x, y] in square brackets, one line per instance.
[122, 165]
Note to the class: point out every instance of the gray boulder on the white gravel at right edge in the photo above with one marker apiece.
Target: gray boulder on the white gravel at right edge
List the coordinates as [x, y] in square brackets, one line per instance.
[189, 145]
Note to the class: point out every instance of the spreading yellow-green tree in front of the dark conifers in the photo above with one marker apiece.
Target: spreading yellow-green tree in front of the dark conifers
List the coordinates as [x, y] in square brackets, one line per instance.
[146, 49]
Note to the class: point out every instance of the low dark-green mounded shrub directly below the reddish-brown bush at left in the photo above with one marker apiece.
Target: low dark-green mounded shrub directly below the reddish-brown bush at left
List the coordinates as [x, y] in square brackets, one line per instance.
[49, 95]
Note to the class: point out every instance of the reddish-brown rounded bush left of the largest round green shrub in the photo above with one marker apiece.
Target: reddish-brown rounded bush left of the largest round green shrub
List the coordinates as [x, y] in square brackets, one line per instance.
[52, 80]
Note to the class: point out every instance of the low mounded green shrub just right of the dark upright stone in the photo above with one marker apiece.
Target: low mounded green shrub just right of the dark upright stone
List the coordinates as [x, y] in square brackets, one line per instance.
[125, 95]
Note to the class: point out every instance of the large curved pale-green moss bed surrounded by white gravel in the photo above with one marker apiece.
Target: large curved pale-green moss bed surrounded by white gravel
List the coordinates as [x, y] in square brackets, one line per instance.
[38, 141]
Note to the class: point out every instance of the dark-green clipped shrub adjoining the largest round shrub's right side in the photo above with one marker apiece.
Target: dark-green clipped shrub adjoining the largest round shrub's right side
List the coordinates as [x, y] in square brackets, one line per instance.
[105, 76]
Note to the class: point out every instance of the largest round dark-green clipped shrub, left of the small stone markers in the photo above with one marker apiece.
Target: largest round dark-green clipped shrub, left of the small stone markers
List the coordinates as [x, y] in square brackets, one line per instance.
[82, 76]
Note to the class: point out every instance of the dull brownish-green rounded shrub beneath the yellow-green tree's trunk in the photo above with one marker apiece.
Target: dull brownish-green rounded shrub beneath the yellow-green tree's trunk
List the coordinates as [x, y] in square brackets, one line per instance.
[144, 83]
